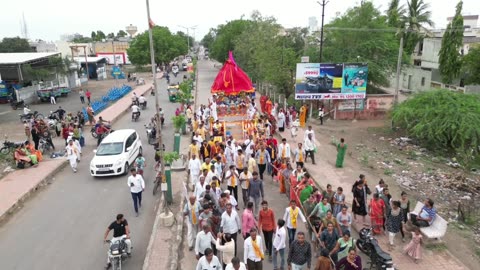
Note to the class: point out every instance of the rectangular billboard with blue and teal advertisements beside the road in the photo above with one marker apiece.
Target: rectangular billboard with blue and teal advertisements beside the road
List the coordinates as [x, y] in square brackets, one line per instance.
[331, 81]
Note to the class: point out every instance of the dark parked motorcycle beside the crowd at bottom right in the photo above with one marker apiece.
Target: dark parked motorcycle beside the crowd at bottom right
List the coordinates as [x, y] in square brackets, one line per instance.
[379, 259]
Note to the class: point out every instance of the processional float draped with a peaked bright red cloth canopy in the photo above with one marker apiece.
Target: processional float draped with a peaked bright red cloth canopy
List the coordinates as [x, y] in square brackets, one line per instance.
[233, 89]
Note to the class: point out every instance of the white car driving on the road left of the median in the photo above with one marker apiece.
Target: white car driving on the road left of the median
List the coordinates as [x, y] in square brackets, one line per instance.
[116, 153]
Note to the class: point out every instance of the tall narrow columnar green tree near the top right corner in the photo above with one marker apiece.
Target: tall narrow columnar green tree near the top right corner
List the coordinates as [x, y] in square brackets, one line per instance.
[450, 59]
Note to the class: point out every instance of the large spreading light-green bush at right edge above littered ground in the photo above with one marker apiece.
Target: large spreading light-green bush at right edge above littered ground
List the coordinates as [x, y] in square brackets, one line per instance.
[443, 121]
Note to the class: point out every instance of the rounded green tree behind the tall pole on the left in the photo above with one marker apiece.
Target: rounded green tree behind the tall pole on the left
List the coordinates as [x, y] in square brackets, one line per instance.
[167, 46]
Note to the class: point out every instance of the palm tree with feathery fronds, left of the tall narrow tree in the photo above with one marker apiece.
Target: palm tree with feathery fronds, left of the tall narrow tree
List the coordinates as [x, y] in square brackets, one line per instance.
[416, 17]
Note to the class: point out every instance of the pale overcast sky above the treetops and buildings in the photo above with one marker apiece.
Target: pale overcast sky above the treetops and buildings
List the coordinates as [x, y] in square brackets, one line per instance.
[48, 19]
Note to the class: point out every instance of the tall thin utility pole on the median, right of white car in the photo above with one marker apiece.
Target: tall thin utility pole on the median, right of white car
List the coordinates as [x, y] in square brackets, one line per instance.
[155, 85]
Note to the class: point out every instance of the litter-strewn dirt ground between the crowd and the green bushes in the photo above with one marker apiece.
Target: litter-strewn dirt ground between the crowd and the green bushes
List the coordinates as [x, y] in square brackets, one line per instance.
[379, 153]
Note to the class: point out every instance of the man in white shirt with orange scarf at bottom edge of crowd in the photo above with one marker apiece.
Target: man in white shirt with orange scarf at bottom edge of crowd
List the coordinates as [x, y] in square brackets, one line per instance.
[253, 251]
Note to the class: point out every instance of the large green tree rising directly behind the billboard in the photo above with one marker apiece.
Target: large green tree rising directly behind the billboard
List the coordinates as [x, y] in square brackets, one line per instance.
[371, 41]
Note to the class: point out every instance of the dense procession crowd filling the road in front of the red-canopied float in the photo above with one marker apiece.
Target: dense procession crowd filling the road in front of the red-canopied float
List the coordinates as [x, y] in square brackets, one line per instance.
[226, 175]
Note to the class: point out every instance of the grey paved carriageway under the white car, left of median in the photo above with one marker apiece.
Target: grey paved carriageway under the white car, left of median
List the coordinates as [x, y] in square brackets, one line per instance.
[62, 227]
